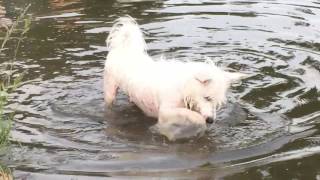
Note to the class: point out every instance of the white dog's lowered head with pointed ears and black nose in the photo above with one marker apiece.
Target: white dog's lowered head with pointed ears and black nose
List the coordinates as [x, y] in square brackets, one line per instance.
[205, 92]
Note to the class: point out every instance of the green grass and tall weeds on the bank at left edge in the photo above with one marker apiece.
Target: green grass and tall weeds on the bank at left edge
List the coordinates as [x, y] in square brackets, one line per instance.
[8, 81]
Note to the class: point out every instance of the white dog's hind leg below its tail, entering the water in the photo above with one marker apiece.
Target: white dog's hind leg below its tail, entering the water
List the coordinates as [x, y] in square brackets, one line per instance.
[110, 88]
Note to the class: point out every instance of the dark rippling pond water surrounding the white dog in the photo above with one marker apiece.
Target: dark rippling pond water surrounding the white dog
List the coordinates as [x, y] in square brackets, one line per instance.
[270, 129]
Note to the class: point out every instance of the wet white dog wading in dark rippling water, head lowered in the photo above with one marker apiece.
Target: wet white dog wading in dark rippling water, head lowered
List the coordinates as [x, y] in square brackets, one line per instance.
[183, 96]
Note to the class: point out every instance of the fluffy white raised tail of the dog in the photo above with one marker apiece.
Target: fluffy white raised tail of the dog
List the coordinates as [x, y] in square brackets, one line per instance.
[125, 34]
